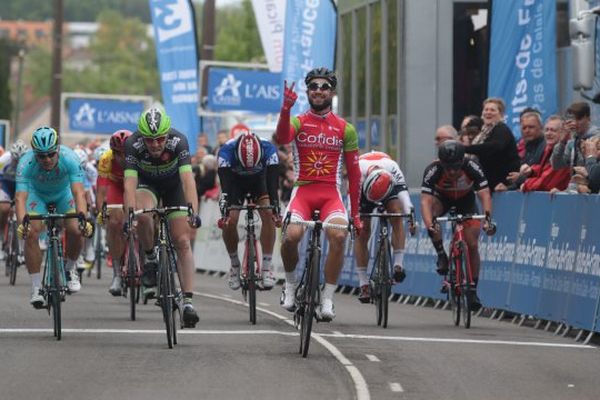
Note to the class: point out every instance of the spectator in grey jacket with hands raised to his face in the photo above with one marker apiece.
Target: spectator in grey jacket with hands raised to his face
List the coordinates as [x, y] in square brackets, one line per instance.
[567, 153]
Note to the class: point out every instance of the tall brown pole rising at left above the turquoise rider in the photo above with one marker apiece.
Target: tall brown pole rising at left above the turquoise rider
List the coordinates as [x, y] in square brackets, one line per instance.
[56, 63]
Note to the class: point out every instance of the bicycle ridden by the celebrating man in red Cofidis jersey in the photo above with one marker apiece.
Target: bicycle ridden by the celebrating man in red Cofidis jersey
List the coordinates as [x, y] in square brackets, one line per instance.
[307, 296]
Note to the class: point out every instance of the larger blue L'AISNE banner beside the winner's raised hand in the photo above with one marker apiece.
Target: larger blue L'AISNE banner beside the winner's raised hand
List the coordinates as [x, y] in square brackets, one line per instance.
[244, 90]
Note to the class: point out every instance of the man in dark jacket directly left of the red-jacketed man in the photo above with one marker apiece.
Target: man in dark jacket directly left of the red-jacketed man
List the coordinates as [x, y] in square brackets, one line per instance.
[533, 136]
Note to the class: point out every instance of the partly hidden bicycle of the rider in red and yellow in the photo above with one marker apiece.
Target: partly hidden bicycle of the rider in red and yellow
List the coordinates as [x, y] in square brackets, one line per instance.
[130, 266]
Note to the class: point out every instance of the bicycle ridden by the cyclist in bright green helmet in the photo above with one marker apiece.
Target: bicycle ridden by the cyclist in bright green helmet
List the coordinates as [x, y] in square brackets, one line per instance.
[169, 296]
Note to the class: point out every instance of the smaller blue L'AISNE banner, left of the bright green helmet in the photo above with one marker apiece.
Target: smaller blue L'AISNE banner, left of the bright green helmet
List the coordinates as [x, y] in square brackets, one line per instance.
[103, 116]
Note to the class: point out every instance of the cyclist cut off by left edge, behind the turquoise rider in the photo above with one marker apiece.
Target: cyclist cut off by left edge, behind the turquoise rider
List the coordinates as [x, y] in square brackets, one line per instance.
[8, 171]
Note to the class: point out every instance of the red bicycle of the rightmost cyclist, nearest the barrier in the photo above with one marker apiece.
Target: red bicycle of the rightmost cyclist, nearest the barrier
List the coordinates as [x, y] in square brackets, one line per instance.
[459, 281]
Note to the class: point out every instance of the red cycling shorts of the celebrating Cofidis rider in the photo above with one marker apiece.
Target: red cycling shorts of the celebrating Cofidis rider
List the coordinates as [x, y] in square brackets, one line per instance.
[322, 196]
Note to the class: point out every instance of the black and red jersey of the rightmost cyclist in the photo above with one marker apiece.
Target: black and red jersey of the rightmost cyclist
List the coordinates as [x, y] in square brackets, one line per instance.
[436, 181]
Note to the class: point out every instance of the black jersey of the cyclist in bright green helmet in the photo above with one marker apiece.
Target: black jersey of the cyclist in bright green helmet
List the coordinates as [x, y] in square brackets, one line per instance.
[160, 171]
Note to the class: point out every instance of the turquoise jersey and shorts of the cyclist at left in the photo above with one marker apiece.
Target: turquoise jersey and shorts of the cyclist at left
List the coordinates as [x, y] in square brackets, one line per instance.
[44, 186]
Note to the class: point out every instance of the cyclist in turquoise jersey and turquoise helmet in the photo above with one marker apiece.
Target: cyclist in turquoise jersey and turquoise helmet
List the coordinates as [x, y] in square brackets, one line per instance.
[51, 173]
